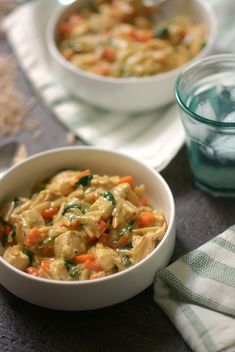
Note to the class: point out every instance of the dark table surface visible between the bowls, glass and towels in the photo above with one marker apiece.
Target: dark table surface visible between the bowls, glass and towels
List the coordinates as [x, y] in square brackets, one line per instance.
[137, 324]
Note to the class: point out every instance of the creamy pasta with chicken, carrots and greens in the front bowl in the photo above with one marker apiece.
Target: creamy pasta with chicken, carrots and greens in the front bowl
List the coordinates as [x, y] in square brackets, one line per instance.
[80, 226]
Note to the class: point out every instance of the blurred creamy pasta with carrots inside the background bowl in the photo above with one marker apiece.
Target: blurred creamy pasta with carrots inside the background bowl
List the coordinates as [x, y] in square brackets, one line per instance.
[123, 38]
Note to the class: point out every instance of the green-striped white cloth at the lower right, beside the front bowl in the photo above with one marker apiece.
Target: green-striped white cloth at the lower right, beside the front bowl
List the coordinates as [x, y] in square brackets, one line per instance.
[197, 293]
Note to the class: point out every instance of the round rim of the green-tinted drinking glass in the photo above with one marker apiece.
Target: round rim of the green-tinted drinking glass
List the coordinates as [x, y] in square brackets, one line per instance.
[209, 59]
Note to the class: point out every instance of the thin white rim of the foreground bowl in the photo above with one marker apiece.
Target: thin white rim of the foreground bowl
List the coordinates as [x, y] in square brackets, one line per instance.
[170, 225]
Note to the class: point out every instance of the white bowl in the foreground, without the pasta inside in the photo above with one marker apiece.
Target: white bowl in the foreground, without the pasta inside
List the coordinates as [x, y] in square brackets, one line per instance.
[85, 295]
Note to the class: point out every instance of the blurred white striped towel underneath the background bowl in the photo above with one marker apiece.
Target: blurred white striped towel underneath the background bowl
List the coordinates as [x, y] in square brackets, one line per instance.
[154, 137]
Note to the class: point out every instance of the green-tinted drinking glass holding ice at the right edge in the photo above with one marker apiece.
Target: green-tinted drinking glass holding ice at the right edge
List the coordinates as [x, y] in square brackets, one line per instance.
[205, 93]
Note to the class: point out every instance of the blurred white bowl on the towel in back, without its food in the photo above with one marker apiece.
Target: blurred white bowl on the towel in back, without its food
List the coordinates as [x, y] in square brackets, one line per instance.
[127, 94]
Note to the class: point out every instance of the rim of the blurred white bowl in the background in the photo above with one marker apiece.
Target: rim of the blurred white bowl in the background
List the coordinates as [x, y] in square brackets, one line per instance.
[53, 49]
